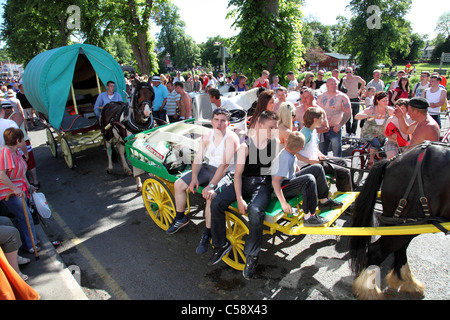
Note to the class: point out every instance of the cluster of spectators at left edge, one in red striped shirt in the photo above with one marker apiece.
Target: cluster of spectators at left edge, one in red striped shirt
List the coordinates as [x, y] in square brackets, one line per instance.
[18, 177]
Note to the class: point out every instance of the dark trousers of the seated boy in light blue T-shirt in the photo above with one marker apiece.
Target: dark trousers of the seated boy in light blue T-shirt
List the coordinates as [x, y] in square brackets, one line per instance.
[310, 181]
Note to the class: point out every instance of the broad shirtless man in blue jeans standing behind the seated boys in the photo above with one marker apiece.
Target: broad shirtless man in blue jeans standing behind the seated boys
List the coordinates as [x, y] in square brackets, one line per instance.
[337, 108]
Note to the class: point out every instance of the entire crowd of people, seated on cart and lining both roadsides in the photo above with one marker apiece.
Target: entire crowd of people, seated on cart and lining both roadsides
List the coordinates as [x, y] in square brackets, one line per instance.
[246, 169]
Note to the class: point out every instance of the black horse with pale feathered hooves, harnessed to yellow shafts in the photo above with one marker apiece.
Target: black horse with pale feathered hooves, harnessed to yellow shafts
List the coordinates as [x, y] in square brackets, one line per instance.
[414, 190]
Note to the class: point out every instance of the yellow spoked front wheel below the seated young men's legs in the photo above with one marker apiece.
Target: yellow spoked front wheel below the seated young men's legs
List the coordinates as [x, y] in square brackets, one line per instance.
[237, 231]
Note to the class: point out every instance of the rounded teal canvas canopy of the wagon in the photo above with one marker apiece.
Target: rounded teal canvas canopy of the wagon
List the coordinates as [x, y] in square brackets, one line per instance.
[48, 77]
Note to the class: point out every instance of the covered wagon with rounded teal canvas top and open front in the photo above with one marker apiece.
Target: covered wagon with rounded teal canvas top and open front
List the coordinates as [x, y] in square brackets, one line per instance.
[62, 85]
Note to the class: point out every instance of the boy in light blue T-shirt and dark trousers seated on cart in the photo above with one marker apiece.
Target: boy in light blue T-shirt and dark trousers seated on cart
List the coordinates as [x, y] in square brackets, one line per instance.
[287, 182]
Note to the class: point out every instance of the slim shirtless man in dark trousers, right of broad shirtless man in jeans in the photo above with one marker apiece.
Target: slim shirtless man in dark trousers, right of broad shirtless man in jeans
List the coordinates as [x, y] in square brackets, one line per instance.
[351, 82]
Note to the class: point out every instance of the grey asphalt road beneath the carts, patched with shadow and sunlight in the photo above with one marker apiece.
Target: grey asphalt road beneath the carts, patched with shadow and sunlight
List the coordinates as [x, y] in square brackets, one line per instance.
[105, 231]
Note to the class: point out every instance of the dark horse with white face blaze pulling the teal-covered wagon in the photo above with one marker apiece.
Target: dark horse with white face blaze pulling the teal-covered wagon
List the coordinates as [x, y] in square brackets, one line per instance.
[119, 119]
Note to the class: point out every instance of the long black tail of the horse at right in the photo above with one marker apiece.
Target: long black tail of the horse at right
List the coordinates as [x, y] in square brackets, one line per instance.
[363, 215]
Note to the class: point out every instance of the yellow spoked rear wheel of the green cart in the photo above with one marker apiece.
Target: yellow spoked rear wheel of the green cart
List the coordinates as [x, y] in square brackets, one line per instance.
[159, 202]
